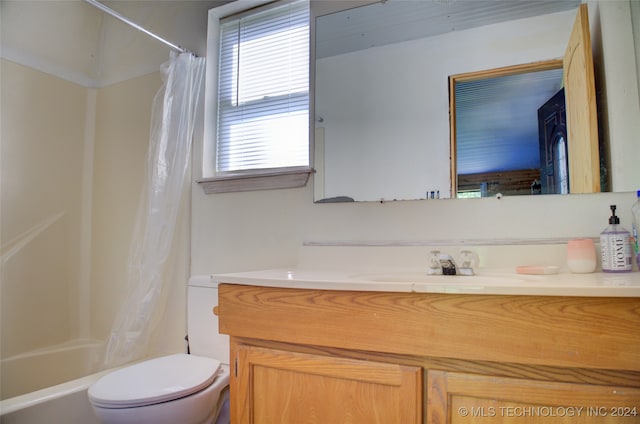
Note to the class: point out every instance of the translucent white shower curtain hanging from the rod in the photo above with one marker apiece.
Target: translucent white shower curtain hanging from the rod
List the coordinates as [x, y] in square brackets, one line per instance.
[167, 176]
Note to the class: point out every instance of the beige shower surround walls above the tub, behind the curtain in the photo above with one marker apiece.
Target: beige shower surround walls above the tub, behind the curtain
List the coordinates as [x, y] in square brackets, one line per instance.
[60, 229]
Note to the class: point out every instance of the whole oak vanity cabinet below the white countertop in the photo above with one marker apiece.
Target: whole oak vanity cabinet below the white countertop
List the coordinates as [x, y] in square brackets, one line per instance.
[321, 356]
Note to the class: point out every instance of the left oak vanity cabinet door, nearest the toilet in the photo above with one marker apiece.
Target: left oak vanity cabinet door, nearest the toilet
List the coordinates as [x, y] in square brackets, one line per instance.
[274, 386]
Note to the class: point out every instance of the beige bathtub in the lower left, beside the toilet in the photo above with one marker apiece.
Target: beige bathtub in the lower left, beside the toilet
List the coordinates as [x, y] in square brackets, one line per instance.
[50, 385]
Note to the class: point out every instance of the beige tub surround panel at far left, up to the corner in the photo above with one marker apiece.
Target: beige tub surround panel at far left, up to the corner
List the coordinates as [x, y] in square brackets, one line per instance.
[42, 138]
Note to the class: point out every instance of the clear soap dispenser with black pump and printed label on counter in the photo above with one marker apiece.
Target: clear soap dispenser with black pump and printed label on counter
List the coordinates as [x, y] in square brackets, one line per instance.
[615, 244]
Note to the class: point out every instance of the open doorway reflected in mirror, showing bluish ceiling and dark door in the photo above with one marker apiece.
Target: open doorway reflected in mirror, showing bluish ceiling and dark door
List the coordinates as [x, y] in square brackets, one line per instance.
[499, 121]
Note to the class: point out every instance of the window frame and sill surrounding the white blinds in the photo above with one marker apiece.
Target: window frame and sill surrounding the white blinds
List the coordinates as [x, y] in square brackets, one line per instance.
[252, 179]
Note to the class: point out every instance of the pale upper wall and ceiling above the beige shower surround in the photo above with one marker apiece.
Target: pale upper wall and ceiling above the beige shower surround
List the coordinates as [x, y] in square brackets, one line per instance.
[75, 41]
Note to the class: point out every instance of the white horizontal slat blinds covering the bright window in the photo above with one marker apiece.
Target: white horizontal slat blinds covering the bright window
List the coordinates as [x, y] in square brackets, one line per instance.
[263, 93]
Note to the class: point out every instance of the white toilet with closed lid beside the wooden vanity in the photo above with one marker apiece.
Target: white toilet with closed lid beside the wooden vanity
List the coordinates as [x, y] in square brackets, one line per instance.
[181, 388]
